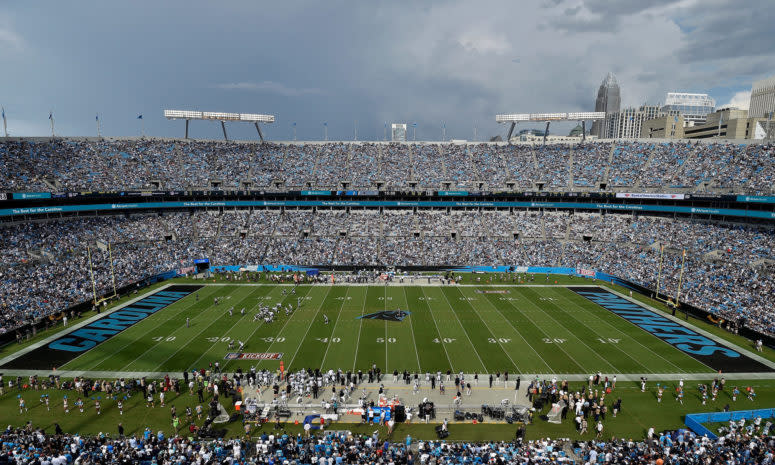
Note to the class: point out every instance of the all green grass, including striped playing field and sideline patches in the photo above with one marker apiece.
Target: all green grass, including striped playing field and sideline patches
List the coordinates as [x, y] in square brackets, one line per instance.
[529, 330]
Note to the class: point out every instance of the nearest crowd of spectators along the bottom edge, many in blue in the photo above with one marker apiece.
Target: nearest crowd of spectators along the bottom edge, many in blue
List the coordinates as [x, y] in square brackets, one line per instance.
[31, 446]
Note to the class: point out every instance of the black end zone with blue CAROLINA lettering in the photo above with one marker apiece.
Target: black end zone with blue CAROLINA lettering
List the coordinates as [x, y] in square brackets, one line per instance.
[78, 341]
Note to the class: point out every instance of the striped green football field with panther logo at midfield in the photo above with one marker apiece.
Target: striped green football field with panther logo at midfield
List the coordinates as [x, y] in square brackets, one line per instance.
[472, 329]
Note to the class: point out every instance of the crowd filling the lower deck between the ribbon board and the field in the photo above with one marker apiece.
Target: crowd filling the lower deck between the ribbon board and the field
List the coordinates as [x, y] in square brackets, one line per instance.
[728, 267]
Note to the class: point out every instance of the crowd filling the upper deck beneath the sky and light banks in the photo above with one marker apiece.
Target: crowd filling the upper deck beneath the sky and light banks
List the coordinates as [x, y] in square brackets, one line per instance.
[101, 165]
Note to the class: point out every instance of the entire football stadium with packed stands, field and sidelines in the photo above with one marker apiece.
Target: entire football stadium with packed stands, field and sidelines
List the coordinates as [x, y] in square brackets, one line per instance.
[605, 297]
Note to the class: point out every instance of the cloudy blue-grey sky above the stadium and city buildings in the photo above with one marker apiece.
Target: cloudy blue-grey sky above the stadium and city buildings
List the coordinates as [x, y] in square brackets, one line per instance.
[454, 62]
